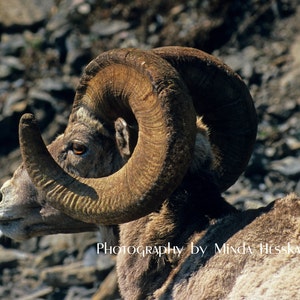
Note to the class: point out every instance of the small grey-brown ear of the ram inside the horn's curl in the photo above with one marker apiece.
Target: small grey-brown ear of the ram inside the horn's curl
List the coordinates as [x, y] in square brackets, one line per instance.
[122, 137]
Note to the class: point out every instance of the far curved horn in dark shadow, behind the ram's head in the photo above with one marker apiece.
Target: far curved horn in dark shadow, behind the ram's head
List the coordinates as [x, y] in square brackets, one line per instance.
[222, 98]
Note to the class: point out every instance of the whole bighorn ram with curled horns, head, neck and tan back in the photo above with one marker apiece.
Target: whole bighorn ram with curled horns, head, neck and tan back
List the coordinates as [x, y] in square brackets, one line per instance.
[153, 139]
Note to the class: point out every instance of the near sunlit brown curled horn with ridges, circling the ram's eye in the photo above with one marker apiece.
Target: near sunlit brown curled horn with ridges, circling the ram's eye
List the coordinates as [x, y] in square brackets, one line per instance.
[141, 84]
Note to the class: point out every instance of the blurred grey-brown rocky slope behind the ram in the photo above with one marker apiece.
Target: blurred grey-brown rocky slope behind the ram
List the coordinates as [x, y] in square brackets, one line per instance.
[45, 44]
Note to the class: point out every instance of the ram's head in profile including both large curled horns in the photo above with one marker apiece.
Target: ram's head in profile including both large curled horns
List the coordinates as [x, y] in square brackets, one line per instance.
[140, 121]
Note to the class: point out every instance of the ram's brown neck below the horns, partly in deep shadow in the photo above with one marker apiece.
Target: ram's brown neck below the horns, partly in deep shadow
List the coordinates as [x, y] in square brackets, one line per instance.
[189, 210]
